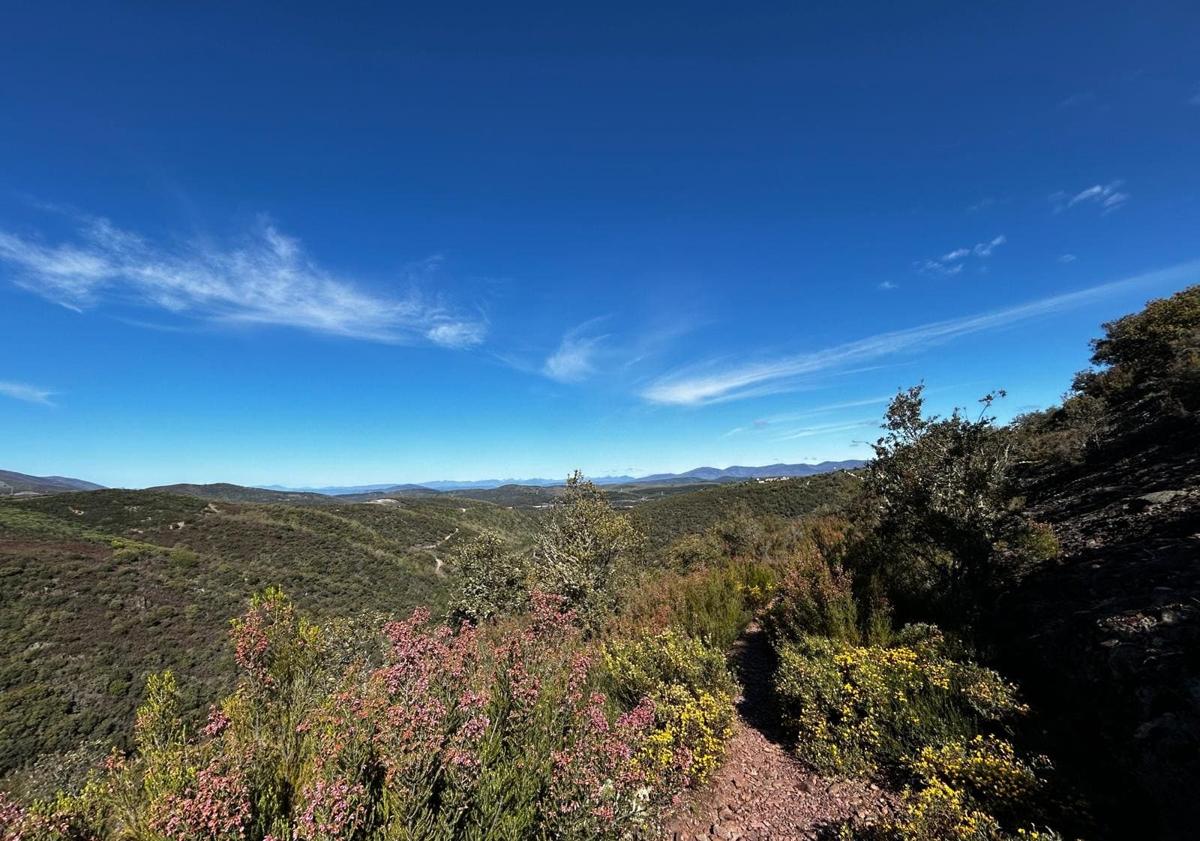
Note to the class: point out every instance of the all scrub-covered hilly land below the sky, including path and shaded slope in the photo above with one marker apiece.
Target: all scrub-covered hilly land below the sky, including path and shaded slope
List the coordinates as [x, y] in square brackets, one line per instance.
[987, 634]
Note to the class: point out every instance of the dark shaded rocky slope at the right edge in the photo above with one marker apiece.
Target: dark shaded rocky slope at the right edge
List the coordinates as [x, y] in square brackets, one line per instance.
[1107, 642]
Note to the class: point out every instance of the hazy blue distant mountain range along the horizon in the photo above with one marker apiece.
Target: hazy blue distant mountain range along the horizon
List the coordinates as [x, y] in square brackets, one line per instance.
[700, 474]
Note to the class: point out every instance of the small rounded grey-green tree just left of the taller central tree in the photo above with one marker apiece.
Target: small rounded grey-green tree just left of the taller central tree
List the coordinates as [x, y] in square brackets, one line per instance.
[488, 581]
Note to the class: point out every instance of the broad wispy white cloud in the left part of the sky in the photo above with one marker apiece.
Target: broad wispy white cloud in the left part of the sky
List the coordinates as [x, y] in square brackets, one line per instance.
[267, 280]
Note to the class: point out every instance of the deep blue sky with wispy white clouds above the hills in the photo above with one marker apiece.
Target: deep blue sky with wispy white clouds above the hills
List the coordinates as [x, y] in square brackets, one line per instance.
[403, 244]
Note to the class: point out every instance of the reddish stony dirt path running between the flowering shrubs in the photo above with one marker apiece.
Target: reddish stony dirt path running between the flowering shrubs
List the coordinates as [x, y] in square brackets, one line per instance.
[763, 792]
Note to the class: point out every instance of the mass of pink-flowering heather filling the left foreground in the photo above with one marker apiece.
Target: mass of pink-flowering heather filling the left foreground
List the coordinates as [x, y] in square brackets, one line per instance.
[453, 735]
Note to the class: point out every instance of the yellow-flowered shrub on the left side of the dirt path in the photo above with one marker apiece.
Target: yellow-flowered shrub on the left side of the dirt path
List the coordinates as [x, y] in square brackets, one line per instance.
[692, 693]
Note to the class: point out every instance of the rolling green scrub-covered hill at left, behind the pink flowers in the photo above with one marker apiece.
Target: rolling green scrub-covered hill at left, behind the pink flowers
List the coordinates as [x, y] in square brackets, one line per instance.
[100, 588]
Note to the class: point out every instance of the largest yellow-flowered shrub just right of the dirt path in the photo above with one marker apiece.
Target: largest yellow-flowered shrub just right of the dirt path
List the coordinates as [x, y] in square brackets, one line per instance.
[857, 710]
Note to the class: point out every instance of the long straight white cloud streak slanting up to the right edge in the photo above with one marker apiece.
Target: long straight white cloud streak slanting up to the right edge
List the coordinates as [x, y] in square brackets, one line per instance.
[709, 383]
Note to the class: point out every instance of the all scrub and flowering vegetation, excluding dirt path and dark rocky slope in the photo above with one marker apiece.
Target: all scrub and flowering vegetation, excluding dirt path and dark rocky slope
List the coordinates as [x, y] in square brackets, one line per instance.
[579, 686]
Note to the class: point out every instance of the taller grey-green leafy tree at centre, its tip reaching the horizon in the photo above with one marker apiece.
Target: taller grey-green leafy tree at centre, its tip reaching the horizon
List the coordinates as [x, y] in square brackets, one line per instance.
[586, 550]
